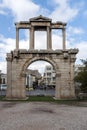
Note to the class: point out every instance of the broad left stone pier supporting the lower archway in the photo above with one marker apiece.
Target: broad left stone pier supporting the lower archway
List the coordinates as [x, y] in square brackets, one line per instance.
[15, 81]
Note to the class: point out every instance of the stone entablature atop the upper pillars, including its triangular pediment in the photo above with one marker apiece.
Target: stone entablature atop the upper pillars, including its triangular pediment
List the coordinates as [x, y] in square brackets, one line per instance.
[40, 21]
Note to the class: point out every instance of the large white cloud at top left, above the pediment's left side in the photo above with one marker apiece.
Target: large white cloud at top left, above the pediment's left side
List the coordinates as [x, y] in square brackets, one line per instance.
[21, 9]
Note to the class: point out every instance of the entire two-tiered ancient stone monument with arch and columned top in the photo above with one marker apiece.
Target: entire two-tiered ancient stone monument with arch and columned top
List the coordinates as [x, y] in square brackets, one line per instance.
[63, 60]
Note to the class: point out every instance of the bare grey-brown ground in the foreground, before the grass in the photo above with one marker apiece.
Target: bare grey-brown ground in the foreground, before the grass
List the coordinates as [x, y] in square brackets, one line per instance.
[41, 116]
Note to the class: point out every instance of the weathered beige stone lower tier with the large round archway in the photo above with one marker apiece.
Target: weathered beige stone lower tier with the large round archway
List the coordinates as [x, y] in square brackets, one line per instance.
[64, 73]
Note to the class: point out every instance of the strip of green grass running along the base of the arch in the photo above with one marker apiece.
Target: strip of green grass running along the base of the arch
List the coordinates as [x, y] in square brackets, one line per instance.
[41, 98]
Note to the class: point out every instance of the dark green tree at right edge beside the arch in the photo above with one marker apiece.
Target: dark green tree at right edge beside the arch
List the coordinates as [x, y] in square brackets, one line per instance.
[81, 77]
